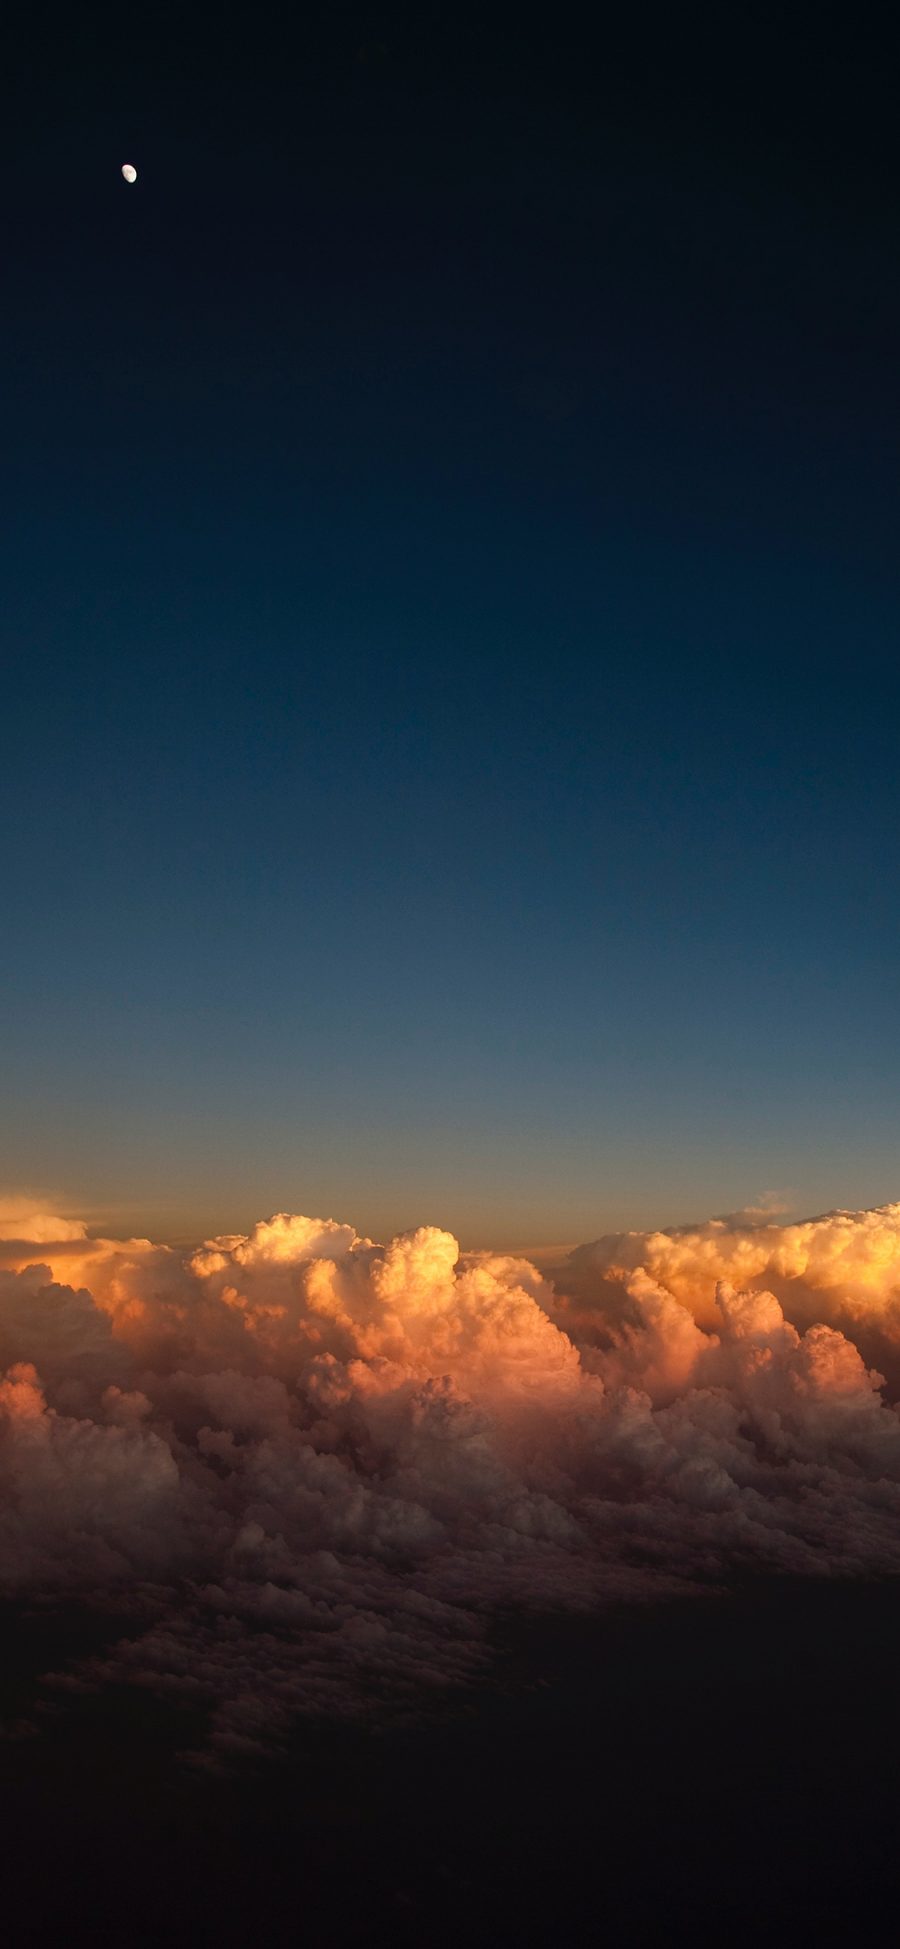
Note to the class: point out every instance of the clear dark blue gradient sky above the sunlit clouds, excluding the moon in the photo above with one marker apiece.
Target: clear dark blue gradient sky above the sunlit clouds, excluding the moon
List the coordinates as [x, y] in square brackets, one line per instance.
[451, 658]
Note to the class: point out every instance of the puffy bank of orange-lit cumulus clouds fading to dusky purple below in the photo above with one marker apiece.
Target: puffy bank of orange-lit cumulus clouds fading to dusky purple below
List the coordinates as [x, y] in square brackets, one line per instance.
[311, 1469]
